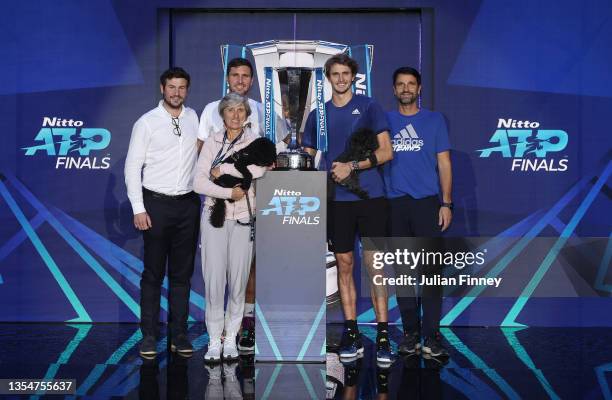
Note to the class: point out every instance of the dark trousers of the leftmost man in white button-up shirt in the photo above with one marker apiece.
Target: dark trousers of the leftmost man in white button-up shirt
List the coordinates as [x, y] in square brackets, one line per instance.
[172, 239]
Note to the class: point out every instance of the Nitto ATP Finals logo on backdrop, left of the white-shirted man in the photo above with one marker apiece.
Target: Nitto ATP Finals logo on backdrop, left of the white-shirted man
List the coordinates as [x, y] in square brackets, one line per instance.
[71, 144]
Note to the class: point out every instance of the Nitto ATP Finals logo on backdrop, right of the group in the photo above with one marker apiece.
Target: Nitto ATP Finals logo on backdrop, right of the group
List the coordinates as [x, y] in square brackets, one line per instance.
[530, 148]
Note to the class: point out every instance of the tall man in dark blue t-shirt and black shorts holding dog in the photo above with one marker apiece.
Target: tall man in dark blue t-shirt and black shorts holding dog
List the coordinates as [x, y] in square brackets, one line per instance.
[348, 213]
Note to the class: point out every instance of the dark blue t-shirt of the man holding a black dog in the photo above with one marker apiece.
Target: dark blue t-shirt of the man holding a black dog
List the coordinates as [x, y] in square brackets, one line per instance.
[359, 112]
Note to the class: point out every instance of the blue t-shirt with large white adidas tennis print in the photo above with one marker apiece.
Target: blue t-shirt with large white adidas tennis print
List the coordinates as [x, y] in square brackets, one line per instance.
[417, 140]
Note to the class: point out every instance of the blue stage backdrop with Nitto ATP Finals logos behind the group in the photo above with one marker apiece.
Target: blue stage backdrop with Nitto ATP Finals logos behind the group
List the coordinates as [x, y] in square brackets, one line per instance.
[76, 77]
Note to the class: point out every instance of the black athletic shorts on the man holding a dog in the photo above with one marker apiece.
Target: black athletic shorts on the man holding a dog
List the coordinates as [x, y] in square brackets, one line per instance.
[347, 218]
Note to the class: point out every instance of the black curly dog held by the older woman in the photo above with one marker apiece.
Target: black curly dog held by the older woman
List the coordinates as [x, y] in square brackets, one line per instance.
[260, 152]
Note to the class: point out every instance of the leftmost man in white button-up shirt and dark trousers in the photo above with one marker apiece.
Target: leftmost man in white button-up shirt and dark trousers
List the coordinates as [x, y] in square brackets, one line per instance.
[159, 172]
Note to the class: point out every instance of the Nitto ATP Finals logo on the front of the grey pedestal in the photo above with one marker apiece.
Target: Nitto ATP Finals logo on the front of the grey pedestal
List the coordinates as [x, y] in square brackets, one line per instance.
[293, 207]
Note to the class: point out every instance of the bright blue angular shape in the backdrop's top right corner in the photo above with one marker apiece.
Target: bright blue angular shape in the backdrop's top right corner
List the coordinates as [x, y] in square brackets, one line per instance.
[554, 46]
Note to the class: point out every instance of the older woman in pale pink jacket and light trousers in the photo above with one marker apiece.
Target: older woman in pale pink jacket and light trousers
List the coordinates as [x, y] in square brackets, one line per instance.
[226, 251]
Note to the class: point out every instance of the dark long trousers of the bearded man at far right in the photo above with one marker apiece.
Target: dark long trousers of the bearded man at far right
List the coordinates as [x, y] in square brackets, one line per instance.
[410, 217]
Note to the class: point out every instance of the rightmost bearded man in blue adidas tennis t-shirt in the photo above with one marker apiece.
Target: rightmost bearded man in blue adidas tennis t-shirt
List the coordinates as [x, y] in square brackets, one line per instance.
[420, 146]
